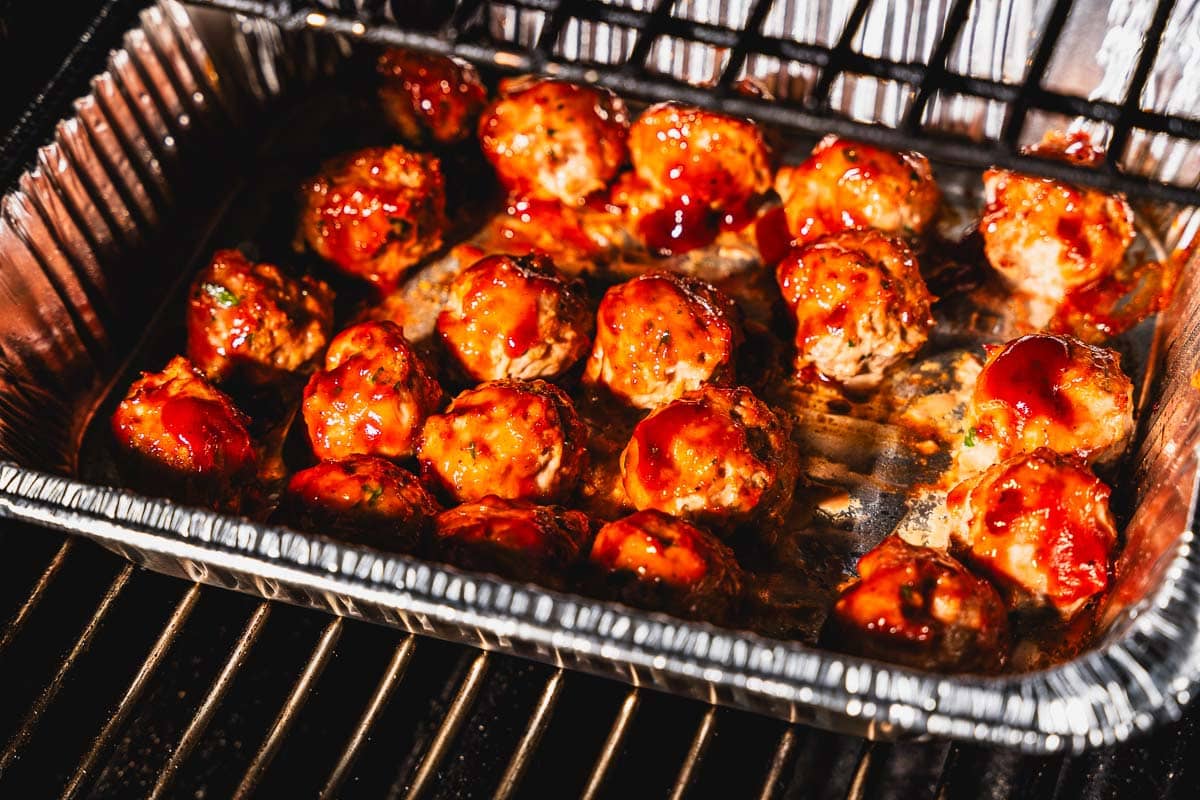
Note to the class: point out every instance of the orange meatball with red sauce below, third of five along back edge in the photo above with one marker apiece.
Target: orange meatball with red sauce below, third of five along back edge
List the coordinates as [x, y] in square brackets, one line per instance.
[716, 161]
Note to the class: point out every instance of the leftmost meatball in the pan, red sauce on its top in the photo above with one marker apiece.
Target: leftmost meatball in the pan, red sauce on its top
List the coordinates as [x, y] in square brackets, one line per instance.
[184, 437]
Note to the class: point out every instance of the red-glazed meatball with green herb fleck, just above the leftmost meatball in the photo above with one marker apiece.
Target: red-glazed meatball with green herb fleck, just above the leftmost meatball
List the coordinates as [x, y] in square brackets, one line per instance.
[254, 321]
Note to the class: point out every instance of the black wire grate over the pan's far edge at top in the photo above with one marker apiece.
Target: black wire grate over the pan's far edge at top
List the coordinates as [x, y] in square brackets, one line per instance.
[465, 32]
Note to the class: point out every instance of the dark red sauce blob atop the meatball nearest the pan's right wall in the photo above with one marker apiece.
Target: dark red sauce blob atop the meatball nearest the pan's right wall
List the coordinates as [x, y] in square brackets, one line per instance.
[1028, 377]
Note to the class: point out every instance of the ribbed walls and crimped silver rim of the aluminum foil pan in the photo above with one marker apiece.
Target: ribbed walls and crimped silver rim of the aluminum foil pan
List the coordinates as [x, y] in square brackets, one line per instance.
[117, 206]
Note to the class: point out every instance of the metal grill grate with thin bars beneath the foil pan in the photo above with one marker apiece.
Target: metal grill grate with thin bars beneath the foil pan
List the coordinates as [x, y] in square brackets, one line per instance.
[105, 701]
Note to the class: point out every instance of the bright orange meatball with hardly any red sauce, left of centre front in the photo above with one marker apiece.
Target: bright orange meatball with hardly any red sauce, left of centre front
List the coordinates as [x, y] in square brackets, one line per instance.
[514, 440]
